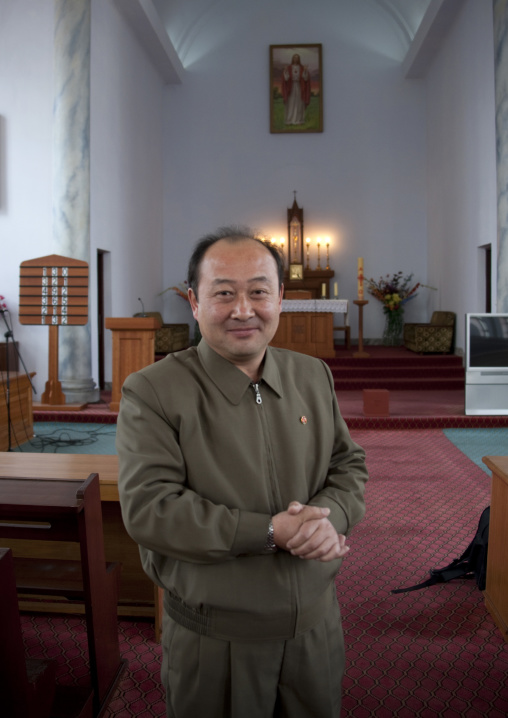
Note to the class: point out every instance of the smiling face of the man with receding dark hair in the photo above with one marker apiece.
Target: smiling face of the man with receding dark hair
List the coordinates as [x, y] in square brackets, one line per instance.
[239, 301]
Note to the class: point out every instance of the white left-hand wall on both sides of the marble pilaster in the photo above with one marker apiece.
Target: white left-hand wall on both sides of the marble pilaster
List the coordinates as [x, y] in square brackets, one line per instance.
[126, 165]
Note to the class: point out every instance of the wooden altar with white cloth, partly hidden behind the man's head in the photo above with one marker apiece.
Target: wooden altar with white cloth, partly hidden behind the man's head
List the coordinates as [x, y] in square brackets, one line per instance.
[306, 325]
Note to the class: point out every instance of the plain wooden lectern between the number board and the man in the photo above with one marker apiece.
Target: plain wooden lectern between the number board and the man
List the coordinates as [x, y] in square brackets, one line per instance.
[133, 349]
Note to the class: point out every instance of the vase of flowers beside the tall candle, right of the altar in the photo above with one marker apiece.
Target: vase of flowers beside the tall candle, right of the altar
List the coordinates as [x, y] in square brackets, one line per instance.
[394, 292]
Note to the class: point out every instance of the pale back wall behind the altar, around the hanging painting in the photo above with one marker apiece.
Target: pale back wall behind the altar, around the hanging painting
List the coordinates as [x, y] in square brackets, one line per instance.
[362, 181]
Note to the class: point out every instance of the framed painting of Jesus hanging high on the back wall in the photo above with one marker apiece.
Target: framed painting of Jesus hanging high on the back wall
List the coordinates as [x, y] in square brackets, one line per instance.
[296, 91]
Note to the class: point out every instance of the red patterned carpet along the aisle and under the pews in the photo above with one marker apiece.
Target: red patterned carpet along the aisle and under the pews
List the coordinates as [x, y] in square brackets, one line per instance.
[431, 653]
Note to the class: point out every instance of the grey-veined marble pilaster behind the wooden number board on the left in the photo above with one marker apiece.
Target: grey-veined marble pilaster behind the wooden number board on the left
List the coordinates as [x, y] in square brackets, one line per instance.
[71, 178]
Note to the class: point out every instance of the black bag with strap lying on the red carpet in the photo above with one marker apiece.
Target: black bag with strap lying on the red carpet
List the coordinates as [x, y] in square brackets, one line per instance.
[472, 563]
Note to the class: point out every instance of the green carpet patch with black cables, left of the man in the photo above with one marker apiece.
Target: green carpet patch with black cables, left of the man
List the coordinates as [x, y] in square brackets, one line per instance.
[53, 437]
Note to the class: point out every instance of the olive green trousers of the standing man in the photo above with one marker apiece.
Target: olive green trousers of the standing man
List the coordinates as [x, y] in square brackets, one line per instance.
[212, 678]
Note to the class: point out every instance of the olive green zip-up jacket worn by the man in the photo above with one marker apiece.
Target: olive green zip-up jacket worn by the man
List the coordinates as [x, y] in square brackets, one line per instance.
[204, 466]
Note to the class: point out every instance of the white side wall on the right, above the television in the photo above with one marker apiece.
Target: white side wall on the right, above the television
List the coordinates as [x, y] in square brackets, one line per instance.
[462, 163]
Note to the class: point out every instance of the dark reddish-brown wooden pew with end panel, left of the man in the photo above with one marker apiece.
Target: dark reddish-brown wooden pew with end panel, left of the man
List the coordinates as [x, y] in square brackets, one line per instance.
[69, 510]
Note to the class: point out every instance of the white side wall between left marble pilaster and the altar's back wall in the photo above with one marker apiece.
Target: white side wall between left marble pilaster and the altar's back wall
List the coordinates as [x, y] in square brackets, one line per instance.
[126, 170]
